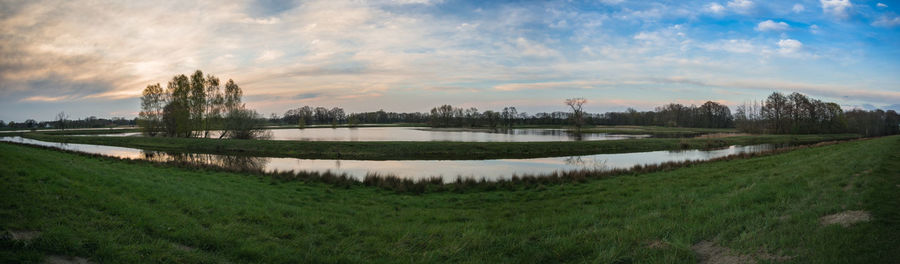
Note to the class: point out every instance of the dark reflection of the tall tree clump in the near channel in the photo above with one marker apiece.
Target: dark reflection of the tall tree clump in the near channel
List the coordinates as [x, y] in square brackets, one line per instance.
[239, 163]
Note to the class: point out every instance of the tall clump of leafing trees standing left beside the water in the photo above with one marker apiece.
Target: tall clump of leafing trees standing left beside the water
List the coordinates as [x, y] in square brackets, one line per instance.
[196, 106]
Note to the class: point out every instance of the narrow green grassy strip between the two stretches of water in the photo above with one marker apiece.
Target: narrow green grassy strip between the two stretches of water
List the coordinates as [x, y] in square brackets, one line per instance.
[427, 150]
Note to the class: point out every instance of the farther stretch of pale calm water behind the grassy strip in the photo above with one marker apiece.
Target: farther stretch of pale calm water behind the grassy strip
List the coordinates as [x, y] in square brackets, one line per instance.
[424, 134]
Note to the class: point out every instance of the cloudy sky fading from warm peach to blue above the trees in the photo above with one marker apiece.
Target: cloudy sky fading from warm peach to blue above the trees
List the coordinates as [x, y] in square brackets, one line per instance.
[93, 58]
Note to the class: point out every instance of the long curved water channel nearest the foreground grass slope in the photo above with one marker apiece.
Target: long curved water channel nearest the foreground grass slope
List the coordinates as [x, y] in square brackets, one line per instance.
[416, 169]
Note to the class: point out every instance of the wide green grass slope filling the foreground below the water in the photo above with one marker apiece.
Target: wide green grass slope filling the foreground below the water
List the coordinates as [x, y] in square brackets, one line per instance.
[112, 211]
